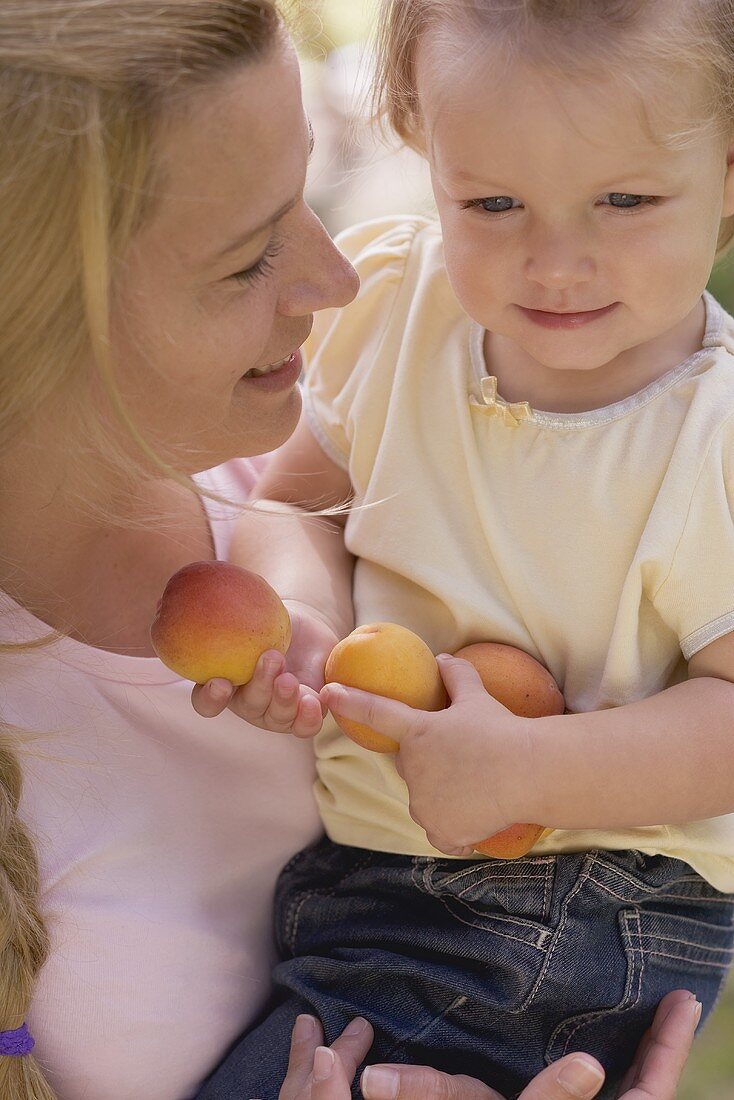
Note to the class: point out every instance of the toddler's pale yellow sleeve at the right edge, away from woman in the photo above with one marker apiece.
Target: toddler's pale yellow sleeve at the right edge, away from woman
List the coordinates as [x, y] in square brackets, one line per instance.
[697, 597]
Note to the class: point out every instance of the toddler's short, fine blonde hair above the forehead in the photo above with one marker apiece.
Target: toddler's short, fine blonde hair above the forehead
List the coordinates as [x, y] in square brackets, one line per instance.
[575, 36]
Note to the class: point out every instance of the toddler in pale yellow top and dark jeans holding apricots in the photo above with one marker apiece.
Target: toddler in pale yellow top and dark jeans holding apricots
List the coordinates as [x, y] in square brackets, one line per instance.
[532, 404]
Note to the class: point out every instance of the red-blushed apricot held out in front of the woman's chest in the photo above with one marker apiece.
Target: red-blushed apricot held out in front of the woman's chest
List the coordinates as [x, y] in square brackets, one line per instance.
[216, 620]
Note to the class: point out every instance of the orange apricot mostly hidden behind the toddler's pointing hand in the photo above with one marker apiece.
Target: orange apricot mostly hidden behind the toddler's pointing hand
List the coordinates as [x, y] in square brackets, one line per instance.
[528, 689]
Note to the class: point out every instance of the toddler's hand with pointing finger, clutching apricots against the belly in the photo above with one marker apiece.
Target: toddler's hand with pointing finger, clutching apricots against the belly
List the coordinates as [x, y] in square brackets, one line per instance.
[468, 768]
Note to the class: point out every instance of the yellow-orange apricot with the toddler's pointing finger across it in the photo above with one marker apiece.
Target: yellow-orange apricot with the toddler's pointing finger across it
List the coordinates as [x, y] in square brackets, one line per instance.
[390, 661]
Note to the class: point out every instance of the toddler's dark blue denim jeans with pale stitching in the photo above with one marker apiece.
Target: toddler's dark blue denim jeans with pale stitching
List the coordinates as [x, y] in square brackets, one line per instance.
[492, 969]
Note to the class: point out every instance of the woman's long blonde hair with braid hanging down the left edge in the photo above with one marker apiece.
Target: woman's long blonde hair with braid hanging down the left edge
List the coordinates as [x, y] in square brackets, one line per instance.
[84, 86]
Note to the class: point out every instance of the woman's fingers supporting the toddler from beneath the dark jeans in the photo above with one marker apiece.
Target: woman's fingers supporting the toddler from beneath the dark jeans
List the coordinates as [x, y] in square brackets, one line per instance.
[317, 1073]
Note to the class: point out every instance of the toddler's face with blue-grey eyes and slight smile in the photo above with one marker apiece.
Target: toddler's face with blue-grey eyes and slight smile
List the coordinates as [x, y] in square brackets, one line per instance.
[556, 199]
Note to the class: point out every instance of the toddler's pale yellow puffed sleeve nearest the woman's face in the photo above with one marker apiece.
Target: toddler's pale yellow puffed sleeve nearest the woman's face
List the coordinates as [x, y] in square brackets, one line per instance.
[345, 344]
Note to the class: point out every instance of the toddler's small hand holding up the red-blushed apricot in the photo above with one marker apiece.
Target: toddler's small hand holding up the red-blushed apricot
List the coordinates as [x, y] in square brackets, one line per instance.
[283, 694]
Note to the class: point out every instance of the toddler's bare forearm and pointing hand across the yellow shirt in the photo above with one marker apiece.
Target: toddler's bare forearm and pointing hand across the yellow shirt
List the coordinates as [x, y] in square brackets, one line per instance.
[475, 768]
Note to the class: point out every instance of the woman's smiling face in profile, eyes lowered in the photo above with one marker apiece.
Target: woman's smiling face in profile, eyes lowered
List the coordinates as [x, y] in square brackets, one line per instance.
[223, 283]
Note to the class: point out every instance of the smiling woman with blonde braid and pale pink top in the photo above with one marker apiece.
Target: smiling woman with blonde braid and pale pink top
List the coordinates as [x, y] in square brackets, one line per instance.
[160, 271]
